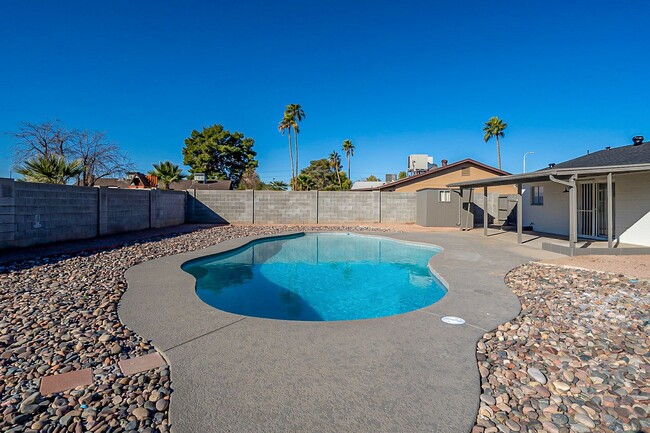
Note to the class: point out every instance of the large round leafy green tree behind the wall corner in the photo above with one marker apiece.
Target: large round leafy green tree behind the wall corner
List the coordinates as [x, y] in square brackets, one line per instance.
[219, 153]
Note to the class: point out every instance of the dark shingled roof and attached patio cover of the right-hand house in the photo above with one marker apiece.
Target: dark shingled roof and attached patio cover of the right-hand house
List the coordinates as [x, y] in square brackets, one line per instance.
[624, 159]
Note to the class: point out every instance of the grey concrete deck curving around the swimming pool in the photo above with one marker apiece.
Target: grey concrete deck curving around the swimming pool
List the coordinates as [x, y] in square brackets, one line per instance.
[410, 372]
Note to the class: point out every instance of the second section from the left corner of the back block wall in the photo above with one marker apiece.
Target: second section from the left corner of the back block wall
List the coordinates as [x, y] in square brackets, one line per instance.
[283, 207]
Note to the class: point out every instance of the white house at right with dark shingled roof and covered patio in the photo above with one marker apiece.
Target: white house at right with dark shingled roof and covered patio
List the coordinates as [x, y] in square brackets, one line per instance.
[603, 195]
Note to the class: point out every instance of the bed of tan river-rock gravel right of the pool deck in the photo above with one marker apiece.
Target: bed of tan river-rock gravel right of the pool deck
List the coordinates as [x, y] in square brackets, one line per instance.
[576, 359]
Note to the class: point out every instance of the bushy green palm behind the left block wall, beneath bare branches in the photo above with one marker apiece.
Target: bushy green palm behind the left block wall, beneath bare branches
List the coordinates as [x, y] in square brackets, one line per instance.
[50, 168]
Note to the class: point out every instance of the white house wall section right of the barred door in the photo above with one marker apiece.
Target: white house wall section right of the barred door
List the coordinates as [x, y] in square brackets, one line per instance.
[632, 208]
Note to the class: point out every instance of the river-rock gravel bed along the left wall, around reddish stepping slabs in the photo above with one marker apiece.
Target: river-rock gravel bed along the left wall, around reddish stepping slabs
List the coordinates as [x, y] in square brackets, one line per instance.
[59, 314]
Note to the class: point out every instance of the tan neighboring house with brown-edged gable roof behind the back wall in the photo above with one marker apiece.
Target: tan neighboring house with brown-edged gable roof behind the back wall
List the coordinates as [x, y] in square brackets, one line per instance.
[440, 177]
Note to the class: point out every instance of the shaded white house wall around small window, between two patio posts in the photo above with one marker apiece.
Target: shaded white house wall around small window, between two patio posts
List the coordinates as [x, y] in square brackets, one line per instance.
[551, 217]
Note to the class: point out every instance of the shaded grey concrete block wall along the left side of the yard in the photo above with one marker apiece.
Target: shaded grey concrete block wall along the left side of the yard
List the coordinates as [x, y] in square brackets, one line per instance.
[35, 213]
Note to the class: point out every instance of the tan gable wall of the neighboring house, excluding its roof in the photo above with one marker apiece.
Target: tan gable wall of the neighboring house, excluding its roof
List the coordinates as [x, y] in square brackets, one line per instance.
[455, 175]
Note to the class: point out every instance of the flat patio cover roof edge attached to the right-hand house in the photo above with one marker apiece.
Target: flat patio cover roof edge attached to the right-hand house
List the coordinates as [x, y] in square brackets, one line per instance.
[543, 175]
